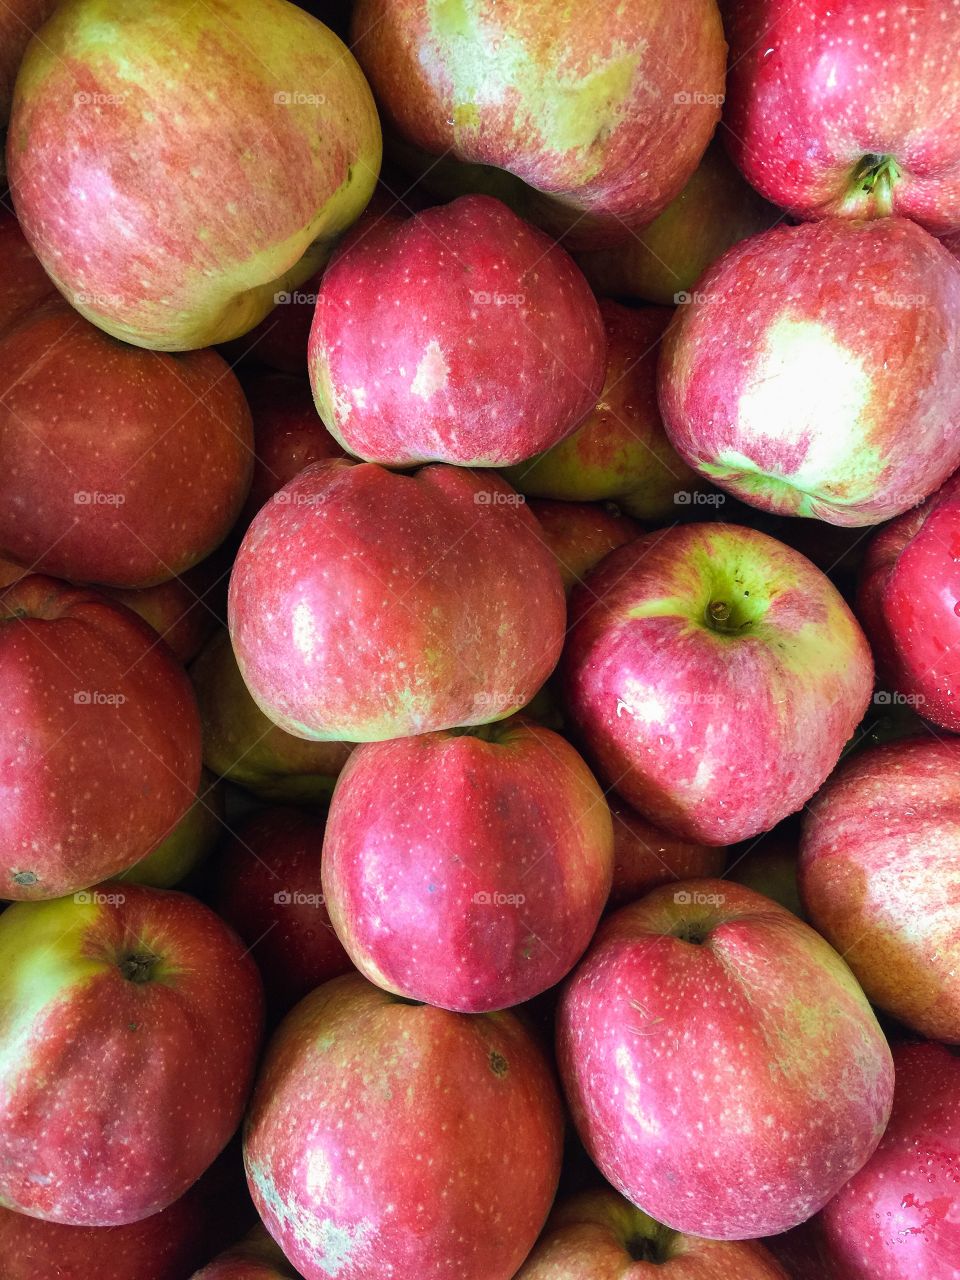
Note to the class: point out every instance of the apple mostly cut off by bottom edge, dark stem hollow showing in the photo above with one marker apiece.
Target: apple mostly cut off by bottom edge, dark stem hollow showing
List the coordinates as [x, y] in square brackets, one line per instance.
[598, 1236]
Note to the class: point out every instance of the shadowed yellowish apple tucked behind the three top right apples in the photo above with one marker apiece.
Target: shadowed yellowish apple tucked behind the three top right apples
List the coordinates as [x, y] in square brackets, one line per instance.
[715, 212]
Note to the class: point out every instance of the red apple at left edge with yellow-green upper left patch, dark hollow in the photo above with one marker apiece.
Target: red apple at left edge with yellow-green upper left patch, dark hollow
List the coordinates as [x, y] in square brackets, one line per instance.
[130, 1027]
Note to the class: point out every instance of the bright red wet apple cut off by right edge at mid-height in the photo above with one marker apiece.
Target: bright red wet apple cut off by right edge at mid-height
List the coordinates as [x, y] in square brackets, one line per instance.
[908, 601]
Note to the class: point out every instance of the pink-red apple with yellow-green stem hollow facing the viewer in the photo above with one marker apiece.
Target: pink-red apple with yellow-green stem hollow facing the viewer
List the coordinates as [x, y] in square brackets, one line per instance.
[714, 676]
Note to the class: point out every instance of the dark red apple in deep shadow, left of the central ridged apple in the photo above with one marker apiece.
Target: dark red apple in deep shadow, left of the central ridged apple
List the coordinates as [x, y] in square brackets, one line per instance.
[267, 886]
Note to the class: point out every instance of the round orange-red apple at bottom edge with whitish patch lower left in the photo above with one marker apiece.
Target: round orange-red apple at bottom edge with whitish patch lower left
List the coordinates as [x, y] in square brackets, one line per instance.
[456, 1122]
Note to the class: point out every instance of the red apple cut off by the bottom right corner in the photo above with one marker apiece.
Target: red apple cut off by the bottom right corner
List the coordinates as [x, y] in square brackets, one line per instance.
[898, 1217]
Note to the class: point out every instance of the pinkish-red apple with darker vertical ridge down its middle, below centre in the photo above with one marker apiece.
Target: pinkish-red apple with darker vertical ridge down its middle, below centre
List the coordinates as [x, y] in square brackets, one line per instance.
[468, 871]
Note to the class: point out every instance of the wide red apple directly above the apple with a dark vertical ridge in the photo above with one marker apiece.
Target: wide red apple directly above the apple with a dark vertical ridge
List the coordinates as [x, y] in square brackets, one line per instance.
[474, 624]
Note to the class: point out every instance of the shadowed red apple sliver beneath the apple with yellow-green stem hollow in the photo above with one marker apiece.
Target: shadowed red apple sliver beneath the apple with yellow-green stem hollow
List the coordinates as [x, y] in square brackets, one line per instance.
[646, 857]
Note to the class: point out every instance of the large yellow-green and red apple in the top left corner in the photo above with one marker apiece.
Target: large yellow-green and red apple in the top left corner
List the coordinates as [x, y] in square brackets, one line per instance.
[168, 216]
